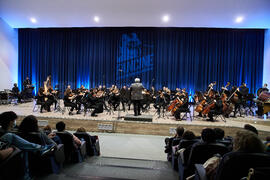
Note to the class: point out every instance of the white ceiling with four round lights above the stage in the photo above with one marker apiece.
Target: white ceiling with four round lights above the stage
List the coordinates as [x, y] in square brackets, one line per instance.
[183, 13]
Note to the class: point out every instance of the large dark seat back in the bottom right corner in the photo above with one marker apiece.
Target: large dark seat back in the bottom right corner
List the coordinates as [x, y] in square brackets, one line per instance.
[235, 165]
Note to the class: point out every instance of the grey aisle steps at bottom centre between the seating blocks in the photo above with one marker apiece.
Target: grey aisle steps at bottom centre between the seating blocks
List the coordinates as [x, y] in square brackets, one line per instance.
[110, 168]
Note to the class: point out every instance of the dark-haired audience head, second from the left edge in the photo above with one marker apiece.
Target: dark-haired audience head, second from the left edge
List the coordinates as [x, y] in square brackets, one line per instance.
[29, 124]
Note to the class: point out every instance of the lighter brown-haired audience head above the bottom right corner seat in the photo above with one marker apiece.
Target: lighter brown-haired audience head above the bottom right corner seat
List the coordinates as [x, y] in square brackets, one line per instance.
[248, 141]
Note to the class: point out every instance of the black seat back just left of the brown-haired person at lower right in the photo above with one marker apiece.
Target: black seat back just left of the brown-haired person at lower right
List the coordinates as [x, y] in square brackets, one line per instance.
[202, 152]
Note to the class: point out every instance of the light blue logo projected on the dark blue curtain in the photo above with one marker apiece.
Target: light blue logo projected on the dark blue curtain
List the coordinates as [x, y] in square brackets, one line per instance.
[135, 59]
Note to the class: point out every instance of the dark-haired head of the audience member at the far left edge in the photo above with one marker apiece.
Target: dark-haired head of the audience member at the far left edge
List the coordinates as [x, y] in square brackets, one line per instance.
[7, 119]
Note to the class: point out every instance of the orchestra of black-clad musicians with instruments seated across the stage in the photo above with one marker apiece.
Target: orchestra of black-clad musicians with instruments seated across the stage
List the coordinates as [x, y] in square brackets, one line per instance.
[227, 101]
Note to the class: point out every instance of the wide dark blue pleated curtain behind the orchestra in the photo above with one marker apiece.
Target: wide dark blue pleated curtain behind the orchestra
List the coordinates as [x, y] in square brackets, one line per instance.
[175, 57]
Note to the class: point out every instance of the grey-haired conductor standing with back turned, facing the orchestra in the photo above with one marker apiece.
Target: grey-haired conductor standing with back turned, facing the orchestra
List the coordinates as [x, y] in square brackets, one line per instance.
[136, 96]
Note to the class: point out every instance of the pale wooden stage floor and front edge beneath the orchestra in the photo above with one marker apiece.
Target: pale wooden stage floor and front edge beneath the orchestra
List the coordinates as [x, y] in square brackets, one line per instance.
[113, 122]
